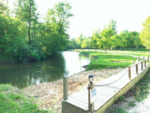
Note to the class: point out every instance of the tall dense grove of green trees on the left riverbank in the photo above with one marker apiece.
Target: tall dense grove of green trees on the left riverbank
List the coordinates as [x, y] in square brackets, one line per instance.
[25, 38]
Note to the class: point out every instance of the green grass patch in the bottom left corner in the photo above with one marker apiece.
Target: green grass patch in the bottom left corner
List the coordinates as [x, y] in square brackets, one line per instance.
[15, 101]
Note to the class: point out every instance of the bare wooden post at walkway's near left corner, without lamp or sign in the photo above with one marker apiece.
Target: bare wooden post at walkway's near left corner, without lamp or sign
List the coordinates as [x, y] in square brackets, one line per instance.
[65, 88]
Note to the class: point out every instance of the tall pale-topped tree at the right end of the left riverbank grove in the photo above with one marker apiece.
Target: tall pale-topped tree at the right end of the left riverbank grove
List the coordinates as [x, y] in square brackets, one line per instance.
[56, 37]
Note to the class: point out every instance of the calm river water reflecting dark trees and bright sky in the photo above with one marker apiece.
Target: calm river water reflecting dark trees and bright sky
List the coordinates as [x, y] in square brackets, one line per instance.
[31, 73]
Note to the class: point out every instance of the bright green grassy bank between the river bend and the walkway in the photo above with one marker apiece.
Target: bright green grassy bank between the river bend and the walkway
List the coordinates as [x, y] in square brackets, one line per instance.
[108, 60]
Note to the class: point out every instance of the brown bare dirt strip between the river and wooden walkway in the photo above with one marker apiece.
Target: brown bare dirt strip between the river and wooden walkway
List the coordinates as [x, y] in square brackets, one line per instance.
[49, 95]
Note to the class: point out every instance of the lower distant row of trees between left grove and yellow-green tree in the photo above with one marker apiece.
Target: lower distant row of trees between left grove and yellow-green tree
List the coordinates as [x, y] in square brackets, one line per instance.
[107, 39]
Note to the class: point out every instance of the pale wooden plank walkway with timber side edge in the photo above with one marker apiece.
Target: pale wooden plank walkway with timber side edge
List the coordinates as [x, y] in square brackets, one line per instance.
[106, 95]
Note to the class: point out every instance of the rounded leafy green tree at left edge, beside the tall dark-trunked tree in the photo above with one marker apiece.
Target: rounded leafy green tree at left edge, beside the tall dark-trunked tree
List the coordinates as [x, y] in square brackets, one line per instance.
[13, 33]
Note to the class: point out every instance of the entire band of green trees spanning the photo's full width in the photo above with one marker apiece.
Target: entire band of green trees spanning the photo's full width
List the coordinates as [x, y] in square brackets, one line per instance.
[24, 37]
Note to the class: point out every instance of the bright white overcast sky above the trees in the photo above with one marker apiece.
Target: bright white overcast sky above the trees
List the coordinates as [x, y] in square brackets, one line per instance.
[91, 15]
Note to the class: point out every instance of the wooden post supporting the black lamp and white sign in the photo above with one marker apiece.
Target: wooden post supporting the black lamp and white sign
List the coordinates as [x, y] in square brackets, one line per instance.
[90, 105]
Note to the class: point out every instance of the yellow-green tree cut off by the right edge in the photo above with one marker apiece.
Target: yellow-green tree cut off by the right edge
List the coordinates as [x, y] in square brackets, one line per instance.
[145, 33]
